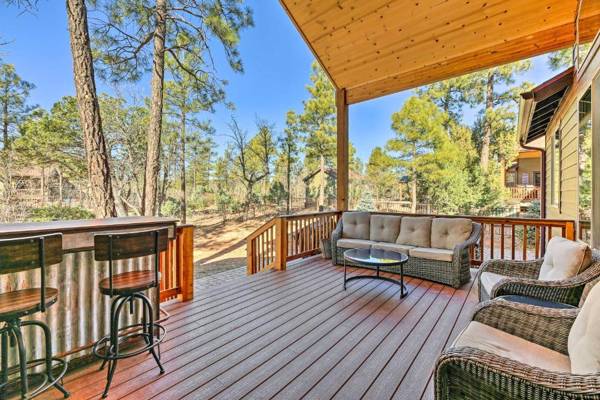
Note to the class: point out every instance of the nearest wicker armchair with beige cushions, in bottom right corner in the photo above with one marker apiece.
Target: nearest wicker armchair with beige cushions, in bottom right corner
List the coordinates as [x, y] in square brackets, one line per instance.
[517, 351]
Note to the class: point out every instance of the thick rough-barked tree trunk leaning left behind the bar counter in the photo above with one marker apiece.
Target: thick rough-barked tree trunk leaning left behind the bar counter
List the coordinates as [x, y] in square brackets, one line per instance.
[89, 111]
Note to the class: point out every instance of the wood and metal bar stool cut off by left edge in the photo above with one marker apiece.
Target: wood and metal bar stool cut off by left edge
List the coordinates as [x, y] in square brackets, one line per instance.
[25, 254]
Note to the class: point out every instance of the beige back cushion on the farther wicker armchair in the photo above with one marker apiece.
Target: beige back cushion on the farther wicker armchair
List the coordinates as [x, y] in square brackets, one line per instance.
[564, 259]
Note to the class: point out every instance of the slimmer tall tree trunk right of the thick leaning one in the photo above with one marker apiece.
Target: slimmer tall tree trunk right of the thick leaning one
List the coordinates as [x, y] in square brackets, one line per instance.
[155, 128]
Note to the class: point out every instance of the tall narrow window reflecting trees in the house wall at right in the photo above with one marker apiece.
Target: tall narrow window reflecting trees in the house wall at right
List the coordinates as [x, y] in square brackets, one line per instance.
[585, 167]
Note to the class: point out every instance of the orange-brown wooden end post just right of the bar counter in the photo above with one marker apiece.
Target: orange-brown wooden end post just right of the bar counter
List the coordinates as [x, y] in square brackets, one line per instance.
[185, 261]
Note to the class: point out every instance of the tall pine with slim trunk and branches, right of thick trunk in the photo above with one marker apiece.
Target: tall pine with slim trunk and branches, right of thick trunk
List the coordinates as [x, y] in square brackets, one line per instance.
[123, 35]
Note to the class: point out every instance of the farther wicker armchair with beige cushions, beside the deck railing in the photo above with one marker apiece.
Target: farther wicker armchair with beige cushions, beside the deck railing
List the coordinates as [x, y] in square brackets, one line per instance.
[560, 276]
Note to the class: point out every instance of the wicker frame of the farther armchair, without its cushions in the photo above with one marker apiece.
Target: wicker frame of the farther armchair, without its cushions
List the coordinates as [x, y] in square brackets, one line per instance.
[521, 279]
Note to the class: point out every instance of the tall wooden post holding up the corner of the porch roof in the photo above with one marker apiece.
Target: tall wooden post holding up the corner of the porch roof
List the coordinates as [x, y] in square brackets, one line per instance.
[342, 149]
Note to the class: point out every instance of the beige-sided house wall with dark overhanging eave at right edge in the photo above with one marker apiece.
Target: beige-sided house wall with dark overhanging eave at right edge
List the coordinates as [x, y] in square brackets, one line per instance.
[560, 112]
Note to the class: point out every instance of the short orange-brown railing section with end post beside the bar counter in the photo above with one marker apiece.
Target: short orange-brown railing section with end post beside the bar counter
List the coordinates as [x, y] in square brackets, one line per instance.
[177, 266]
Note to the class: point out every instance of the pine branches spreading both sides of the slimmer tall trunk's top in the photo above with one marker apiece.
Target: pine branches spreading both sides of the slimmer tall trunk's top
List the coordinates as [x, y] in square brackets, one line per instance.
[123, 33]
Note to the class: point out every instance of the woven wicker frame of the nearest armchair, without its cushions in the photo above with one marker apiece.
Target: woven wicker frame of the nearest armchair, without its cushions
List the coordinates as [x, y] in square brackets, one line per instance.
[470, 373]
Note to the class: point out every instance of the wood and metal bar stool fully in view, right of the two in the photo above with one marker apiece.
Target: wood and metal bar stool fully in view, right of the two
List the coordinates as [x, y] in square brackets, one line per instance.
[126, 288]
